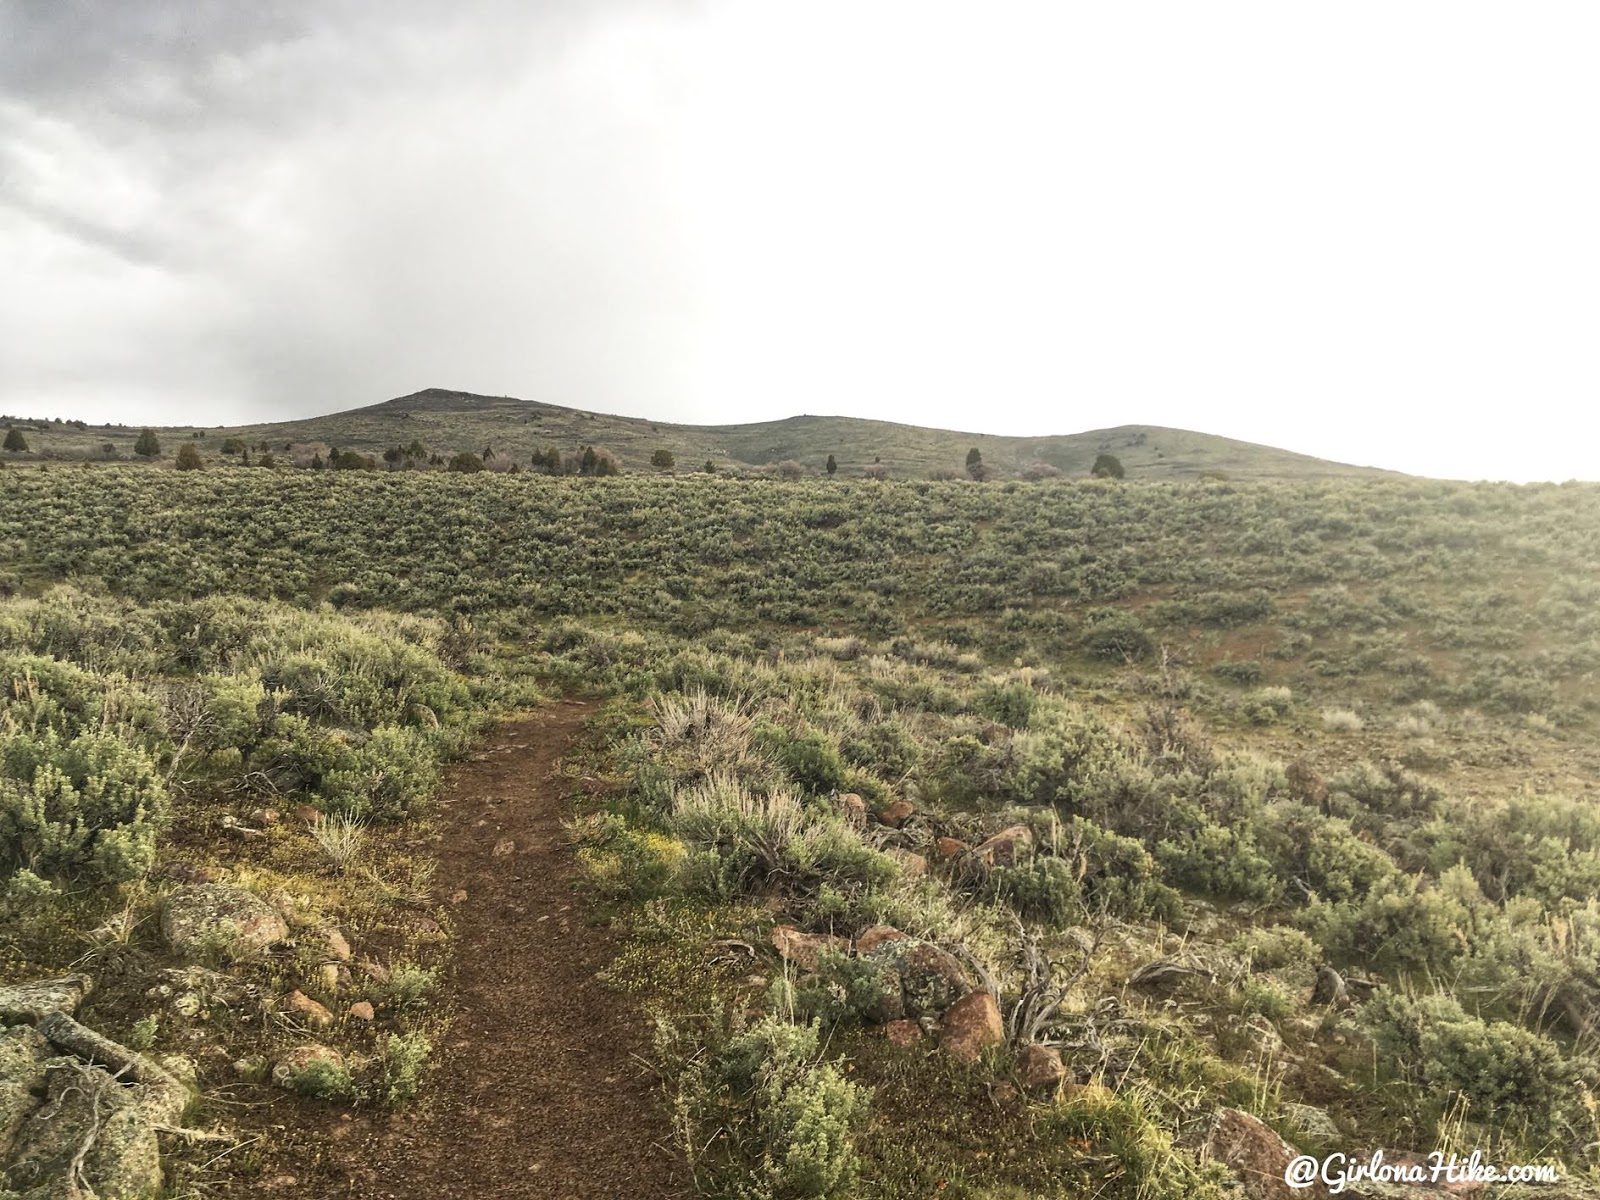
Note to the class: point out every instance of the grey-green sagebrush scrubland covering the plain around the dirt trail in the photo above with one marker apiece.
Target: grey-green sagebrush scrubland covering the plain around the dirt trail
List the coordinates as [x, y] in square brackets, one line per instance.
[1294, 788]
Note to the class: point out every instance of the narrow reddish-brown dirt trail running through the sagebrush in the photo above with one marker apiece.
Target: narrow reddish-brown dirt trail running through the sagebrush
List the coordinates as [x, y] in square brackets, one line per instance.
[535, 1092]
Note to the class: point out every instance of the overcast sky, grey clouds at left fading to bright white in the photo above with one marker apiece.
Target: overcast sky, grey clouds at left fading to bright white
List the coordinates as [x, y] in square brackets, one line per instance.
[1362, 230]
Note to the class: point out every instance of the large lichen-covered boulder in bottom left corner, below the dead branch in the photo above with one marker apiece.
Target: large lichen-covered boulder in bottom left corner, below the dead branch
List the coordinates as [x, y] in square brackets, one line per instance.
[124, 1159]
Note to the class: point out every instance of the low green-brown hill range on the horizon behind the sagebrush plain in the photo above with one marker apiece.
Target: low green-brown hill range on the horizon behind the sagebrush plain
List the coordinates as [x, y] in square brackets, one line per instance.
[449, 423]
